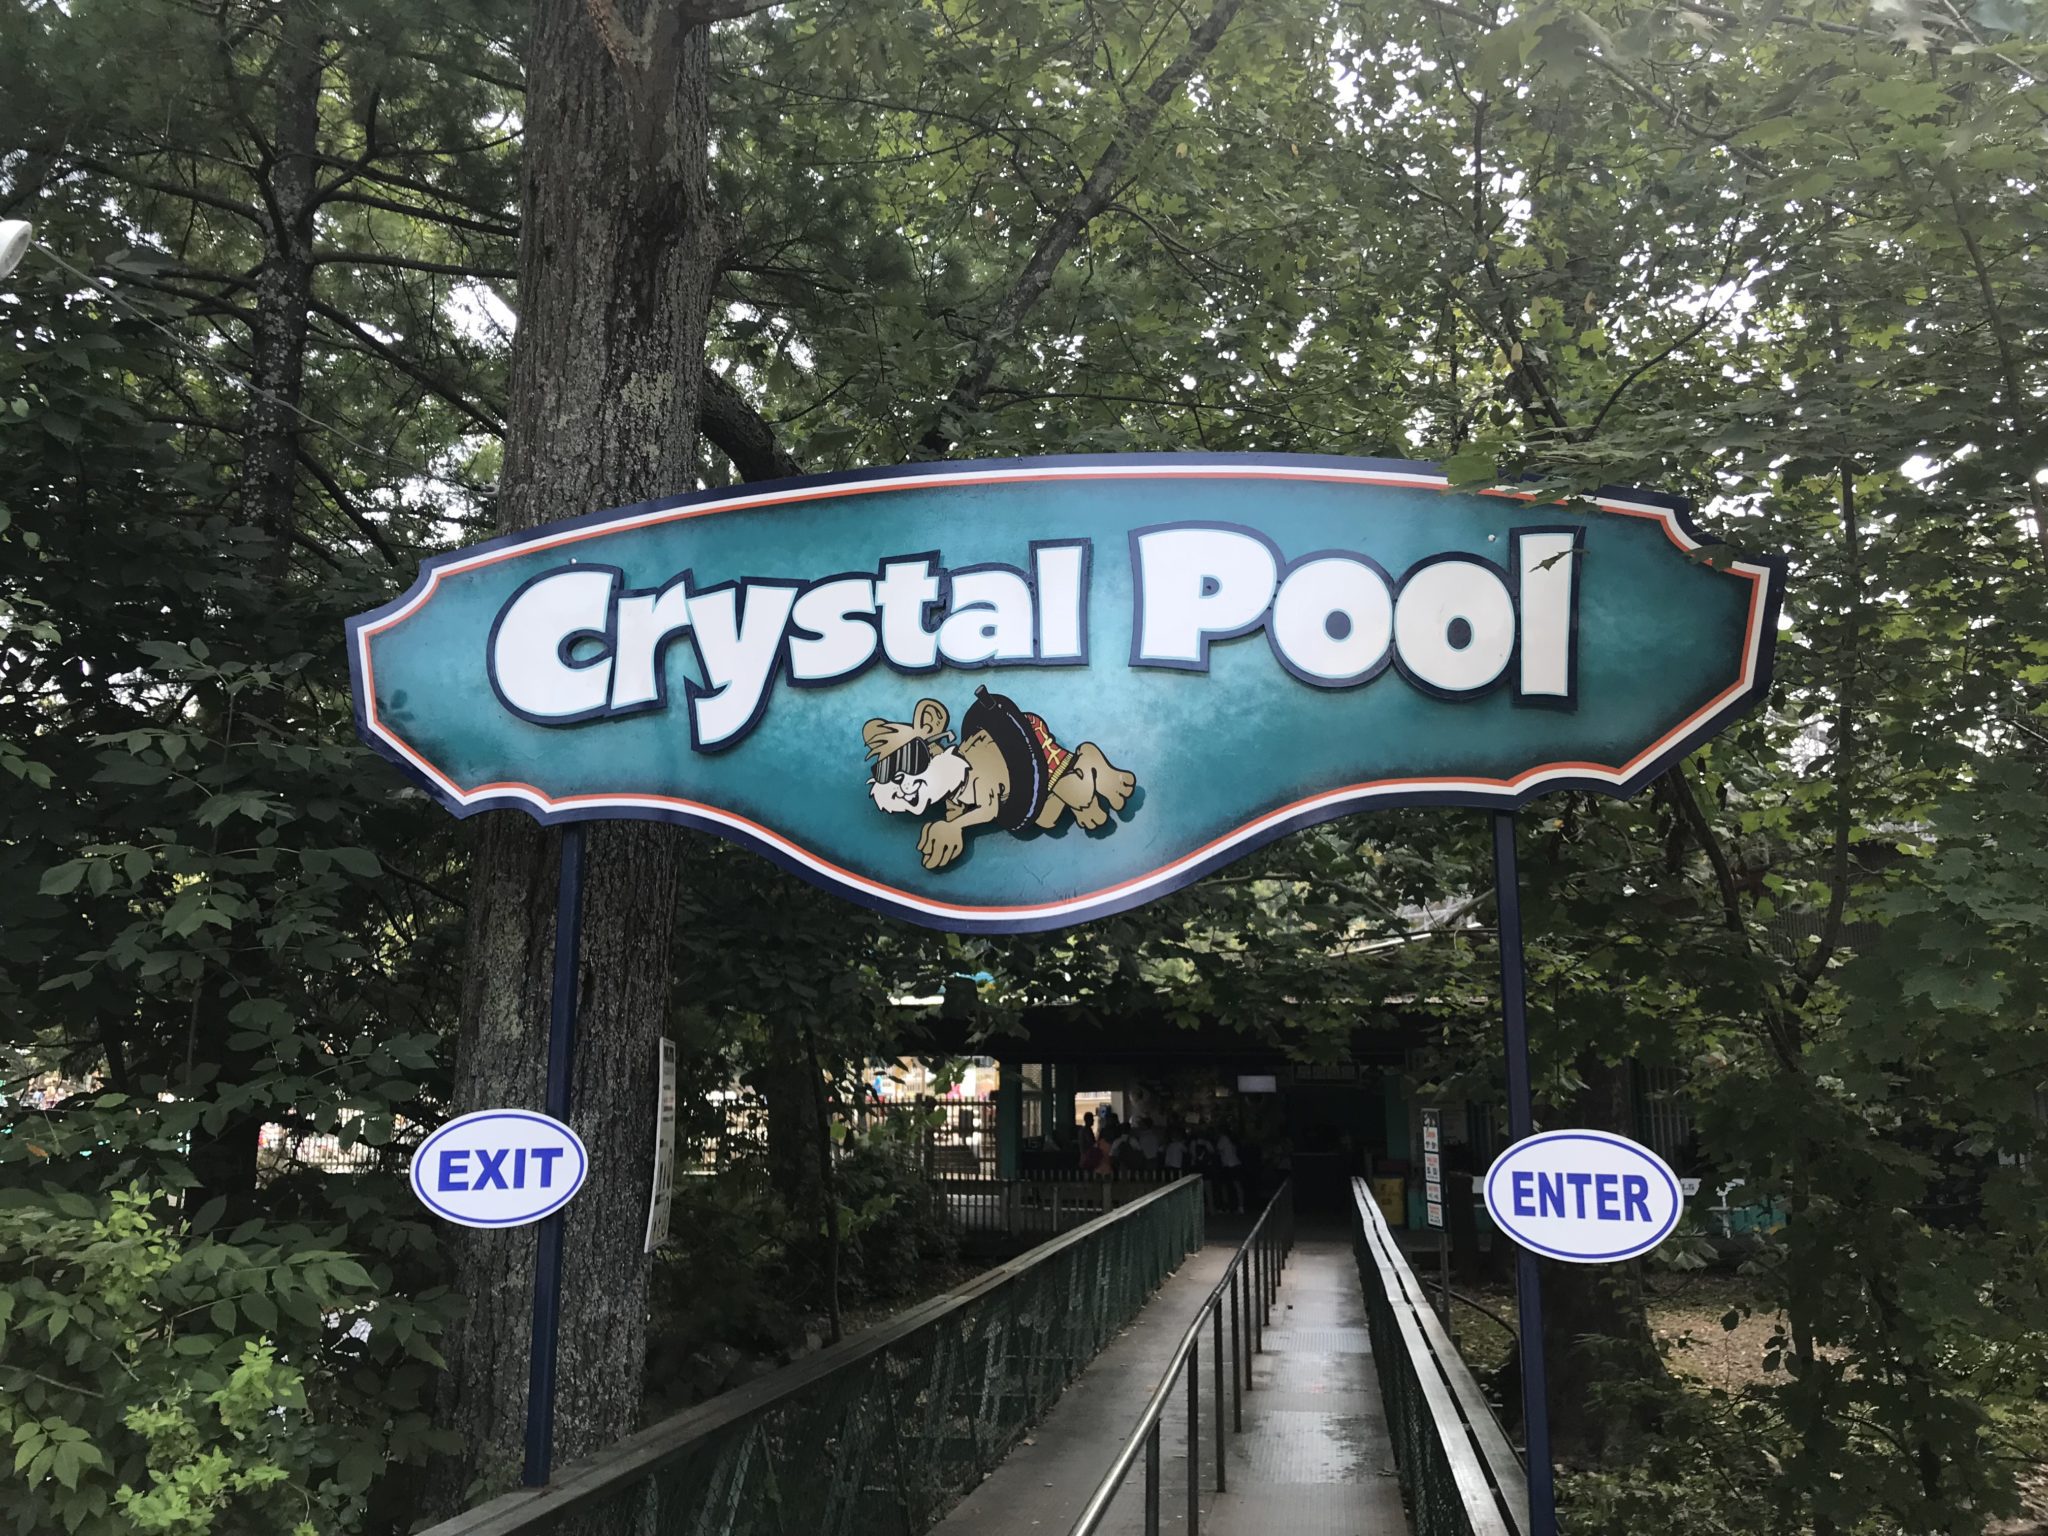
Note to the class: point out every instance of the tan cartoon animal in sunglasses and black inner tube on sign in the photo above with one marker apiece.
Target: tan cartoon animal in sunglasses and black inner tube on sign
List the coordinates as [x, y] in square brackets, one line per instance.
[1005, 773]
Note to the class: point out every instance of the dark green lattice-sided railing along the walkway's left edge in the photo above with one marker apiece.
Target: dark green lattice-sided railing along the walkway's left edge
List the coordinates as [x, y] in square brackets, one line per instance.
[876, 1437]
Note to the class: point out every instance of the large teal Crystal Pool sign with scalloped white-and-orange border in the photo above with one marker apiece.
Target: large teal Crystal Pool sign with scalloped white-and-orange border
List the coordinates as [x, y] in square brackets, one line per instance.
[1017, 695]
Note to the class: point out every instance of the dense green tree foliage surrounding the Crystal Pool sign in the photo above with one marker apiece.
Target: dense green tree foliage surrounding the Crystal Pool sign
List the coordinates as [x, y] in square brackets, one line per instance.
[1781, 257]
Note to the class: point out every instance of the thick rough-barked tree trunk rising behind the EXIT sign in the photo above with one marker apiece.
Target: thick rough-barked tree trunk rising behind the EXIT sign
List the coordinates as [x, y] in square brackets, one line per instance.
[617, 263]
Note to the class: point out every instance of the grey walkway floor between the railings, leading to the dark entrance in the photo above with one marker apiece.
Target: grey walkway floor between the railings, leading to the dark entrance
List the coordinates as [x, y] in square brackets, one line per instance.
[1314, 1459]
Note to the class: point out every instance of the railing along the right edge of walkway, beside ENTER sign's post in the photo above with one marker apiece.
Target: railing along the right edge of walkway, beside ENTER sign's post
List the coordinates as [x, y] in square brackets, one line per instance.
[1459, 1474]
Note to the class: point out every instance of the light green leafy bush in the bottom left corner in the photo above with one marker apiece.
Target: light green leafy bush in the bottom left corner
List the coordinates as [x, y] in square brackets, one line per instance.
[161, 1379]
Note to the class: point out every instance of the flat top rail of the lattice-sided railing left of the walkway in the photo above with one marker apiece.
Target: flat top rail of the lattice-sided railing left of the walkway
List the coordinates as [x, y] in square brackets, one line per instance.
[589, 1488]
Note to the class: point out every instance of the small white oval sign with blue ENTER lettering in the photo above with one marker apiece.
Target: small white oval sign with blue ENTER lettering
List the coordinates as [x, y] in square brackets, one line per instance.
[1584, 1197]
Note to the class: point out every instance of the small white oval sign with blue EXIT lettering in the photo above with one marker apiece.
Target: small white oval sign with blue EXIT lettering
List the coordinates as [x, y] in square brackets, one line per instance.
[499, 1168]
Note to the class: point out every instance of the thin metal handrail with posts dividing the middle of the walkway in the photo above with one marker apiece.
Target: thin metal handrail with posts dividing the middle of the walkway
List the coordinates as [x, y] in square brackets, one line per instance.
[1252, 1275]
